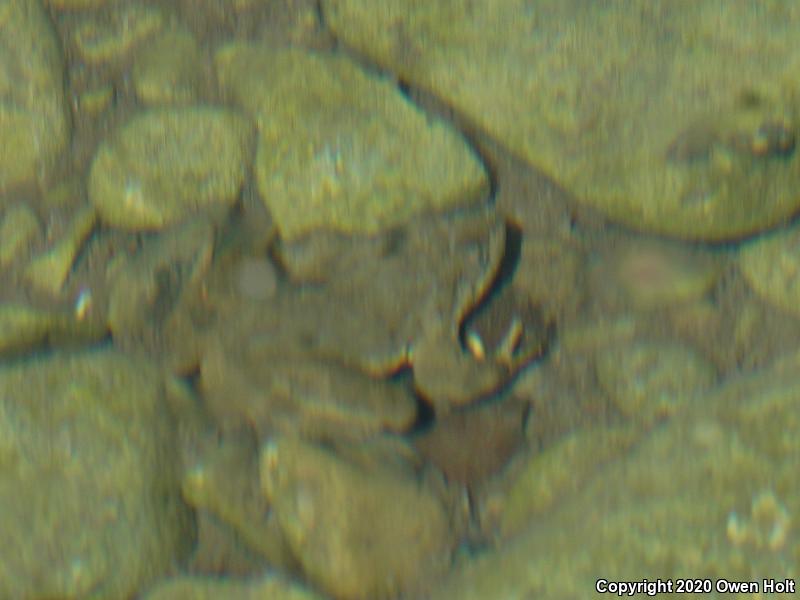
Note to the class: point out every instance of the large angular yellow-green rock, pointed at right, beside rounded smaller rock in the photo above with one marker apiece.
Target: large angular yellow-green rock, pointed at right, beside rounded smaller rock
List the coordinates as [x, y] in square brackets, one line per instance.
[343, 149]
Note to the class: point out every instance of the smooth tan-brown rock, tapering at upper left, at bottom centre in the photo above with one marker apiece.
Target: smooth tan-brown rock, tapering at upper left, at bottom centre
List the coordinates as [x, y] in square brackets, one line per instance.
[357, 534]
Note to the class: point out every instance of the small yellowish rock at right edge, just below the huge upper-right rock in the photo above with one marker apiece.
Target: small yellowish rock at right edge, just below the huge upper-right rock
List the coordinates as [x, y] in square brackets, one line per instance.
[771, 265]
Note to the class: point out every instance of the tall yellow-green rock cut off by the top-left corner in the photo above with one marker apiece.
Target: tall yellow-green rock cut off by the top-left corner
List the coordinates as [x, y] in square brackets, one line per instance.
[33, 114]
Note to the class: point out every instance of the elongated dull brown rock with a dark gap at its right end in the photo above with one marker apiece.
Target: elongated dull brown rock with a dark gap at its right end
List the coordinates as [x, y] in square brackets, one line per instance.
[274, 388]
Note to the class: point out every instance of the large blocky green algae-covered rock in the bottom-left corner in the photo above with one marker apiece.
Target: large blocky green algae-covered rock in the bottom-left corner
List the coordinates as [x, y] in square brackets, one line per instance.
[89, 500]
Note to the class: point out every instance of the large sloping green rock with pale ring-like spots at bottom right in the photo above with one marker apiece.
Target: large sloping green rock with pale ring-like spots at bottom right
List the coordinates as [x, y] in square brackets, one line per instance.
[712, 492]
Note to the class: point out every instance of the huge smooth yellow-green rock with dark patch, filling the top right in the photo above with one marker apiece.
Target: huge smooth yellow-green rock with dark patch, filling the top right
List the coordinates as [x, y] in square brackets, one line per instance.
[674, 117]
